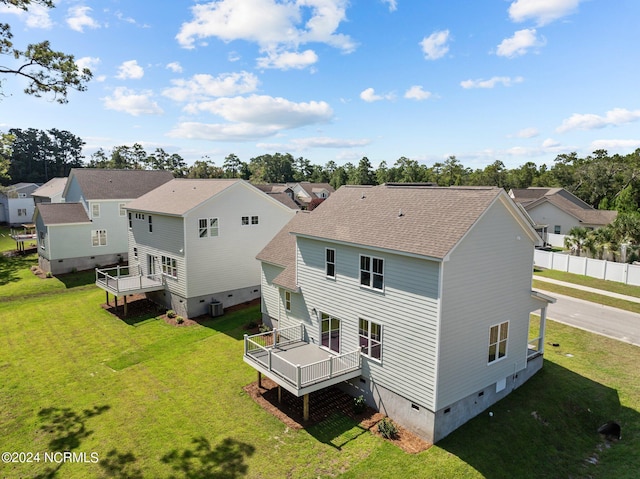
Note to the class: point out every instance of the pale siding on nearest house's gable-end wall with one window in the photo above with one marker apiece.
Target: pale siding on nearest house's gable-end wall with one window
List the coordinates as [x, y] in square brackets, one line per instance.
[477, 296]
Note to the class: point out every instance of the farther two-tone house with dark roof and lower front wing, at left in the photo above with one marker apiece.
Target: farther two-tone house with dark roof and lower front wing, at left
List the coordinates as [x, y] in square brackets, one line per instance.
[90, 227]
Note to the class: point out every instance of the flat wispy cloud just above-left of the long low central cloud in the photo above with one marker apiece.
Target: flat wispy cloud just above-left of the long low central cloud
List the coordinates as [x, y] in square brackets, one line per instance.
[204, 86]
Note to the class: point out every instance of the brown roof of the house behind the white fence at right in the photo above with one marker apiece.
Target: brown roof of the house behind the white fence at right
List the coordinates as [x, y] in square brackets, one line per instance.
[564, 200]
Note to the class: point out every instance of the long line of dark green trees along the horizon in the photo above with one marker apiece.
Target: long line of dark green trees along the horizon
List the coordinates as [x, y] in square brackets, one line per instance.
[602, 180]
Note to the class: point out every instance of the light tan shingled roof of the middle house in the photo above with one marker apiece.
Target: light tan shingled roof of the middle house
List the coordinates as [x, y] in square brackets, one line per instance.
[179, 196]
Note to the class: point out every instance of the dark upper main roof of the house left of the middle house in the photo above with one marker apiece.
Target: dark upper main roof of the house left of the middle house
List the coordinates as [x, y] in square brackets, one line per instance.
[106, 184]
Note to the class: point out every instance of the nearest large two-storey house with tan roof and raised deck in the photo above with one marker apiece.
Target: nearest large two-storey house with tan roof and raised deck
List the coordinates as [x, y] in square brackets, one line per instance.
[418, 298]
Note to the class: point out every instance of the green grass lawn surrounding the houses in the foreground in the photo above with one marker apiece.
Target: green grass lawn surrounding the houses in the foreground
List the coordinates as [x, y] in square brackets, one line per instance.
[158, 401]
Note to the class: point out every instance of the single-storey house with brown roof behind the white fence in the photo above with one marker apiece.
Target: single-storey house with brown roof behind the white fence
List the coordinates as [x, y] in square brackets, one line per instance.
[555, 210]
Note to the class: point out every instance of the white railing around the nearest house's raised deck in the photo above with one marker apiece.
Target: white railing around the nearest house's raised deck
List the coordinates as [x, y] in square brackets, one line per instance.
[260, 347]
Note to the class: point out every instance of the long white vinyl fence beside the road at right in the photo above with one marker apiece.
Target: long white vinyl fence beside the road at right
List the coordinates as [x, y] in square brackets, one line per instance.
[596, 268]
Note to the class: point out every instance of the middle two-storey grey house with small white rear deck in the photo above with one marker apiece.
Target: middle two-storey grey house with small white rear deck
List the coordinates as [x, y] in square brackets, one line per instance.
[199, 239]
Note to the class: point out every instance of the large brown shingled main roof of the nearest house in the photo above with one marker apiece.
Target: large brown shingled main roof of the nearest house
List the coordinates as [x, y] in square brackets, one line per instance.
[421, 220]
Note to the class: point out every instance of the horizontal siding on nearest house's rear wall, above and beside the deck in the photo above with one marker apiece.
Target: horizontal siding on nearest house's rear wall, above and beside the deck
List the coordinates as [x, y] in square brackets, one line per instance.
[407, 312]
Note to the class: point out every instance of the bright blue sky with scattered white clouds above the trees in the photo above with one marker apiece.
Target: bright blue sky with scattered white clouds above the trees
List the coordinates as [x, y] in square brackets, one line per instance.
[509, 80]
